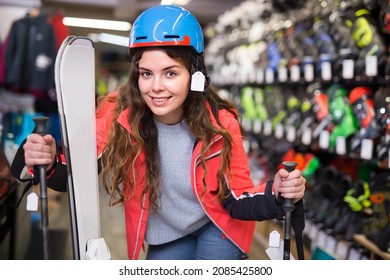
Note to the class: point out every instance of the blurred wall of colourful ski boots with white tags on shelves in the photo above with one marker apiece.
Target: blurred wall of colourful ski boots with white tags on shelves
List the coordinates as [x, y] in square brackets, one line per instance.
[311, 79]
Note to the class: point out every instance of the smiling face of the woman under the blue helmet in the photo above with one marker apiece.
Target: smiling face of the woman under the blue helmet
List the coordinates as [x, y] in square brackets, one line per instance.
[164, 85]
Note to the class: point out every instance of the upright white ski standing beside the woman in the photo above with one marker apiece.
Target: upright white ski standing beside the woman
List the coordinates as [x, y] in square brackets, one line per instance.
[75, 87]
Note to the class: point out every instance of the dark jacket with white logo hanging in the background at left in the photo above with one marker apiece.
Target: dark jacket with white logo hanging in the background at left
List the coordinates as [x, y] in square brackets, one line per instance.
[30, 54]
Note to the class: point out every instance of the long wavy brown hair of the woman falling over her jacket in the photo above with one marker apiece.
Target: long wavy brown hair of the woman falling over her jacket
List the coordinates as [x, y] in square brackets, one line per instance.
[122, 149]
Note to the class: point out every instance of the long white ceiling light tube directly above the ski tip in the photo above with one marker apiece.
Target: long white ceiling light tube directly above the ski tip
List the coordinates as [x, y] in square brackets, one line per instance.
[97, 23]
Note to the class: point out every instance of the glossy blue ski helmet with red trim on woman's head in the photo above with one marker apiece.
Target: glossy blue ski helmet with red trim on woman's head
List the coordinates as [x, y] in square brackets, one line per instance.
[166, 25]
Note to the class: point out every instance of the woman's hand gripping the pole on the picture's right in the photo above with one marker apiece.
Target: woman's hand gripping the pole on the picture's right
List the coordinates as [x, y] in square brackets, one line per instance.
[289, 184]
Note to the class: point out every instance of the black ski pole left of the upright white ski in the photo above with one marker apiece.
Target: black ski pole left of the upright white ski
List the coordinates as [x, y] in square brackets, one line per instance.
[40, 123]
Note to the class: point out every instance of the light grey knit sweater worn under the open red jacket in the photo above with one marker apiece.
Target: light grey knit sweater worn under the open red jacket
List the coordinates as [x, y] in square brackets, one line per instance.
[180, 212]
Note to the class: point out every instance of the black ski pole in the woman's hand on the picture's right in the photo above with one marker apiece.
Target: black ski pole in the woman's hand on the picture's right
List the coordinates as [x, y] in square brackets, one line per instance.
[288, 207]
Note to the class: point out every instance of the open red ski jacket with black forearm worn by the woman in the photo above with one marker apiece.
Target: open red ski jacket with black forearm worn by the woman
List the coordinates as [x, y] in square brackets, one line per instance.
[240, 232]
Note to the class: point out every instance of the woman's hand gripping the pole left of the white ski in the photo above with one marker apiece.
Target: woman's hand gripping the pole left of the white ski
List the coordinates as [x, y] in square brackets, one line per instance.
[40, 150]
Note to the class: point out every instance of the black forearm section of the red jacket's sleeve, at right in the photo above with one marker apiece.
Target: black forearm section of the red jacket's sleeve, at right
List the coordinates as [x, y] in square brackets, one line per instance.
[255, 207]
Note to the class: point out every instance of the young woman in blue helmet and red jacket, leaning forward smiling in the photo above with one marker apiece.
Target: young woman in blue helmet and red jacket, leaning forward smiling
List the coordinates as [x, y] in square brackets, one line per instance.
[173, 156]
